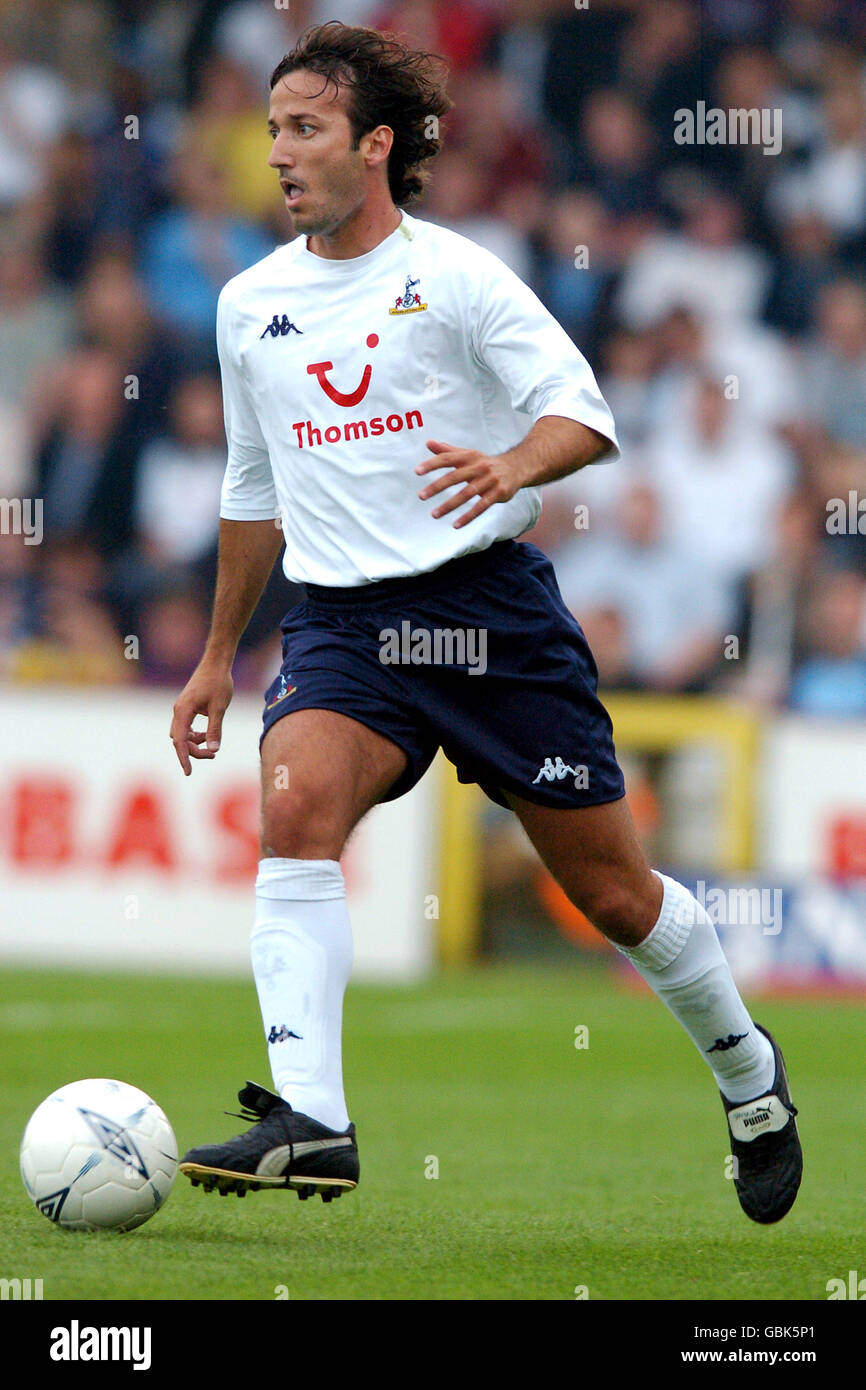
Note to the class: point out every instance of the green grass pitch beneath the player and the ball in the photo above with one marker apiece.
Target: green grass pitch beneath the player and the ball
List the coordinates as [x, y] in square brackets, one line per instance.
[558, 1168]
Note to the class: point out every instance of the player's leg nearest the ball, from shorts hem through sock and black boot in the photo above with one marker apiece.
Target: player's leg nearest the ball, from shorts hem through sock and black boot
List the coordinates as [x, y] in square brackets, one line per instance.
[320, 774]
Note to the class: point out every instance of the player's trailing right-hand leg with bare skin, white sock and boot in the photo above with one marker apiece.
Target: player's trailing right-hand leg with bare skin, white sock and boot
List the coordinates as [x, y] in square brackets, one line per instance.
[596, 857]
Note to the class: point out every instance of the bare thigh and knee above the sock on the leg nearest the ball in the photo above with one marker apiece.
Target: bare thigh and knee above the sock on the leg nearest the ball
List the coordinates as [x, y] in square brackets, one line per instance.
[320, 775]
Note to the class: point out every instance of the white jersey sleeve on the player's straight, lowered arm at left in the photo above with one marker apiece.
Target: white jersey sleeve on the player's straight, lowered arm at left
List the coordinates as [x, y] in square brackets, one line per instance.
[248, 487]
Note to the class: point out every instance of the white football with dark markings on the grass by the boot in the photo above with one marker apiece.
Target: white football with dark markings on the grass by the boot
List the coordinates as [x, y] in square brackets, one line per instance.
[99, 1156]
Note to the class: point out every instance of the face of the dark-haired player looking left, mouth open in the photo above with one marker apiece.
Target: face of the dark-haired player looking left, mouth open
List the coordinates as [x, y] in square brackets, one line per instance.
[325, 181]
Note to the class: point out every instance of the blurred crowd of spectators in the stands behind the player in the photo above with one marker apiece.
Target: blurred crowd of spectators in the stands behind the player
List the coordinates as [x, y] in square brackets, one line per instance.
[718, 290]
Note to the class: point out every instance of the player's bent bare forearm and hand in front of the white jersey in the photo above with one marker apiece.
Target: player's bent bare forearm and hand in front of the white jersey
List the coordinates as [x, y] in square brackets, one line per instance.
[553, 450]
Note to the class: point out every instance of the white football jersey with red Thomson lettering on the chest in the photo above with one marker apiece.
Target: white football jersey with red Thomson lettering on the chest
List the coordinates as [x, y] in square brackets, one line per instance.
[337, 372]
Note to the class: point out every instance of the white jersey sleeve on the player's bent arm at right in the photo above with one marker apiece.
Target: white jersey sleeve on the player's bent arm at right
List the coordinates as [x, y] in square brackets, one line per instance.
[521, 343]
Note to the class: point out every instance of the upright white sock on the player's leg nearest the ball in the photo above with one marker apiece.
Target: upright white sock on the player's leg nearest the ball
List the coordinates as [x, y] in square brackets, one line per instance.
[302, 960]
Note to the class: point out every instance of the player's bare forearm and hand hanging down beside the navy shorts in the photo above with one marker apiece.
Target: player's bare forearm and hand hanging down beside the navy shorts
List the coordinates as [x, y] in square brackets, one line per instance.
[248, 553]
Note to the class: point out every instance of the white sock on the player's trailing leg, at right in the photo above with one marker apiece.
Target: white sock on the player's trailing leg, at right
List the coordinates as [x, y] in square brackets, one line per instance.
[683, 964]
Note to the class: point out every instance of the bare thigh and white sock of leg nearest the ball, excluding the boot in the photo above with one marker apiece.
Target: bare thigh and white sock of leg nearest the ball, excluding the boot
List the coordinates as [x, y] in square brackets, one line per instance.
[320, 774]
